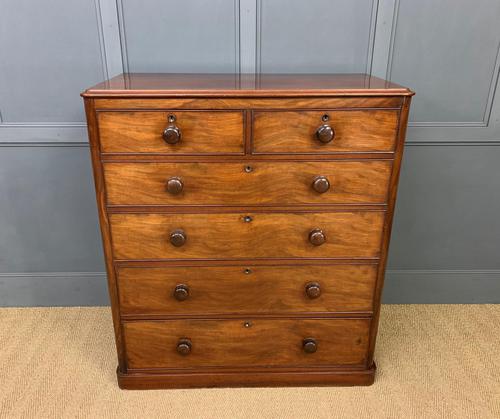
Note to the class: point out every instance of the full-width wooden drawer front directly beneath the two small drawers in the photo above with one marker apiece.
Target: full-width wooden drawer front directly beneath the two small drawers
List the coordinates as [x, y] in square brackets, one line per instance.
[255, 183]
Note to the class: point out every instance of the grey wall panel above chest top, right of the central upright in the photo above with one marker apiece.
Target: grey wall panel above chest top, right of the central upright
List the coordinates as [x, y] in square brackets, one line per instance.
[319, 36]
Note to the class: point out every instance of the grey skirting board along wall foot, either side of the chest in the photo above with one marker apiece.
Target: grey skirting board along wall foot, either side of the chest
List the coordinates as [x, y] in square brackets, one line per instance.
[479, 286]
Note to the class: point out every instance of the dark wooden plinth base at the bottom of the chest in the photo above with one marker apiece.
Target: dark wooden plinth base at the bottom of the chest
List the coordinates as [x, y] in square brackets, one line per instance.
[269, 377]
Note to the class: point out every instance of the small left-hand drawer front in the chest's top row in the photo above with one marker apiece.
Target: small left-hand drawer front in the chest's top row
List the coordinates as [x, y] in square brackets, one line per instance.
[201, 132]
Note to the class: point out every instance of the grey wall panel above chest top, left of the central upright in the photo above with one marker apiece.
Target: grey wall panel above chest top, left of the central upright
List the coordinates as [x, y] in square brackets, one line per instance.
[180, 35]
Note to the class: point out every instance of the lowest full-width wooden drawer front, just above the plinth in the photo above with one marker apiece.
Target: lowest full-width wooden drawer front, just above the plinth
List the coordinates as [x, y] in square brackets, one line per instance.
[248, 342]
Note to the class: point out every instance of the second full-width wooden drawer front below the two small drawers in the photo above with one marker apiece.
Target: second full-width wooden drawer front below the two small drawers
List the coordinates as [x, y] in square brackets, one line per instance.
[257, 235]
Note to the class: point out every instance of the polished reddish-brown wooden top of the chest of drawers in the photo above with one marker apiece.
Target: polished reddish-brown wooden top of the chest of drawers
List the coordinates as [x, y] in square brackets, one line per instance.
[244, 85]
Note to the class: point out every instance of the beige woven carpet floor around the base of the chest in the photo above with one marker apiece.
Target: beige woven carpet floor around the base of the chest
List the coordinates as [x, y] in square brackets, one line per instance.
[434, 361]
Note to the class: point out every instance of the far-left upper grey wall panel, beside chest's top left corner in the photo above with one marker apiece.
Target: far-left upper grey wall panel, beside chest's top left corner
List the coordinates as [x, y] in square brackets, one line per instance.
[50, 52]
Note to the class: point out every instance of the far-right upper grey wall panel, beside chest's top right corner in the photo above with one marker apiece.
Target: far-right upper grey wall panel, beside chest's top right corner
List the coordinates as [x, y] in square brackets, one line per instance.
[448, 52]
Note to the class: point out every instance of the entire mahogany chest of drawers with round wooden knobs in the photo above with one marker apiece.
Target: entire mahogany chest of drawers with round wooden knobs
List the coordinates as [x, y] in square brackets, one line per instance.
[245, 221]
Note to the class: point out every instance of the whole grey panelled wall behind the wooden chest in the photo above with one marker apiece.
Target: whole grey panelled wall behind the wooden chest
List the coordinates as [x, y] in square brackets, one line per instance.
[446, 239]
